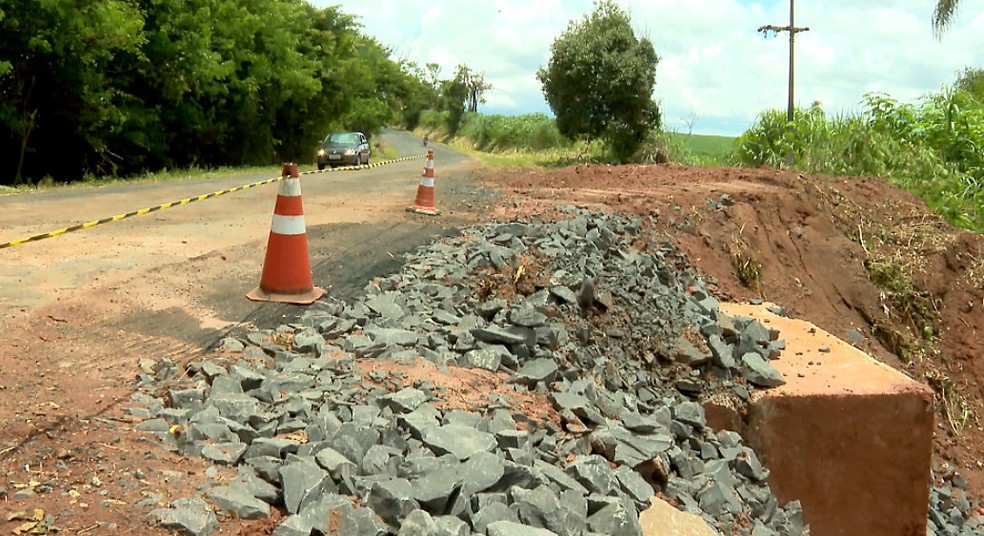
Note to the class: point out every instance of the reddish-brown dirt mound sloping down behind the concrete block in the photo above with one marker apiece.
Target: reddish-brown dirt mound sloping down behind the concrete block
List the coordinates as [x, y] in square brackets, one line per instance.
[858, 257]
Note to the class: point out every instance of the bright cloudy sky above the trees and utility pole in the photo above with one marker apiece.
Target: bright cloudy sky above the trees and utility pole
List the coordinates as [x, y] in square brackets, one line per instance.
[716, 72]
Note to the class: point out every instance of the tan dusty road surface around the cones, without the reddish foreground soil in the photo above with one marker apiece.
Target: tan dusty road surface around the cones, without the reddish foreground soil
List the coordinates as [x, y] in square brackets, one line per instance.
[172, 282]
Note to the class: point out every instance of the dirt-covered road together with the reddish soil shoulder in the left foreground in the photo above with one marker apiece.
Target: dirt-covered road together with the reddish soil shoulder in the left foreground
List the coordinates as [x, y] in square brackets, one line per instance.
[80, 310]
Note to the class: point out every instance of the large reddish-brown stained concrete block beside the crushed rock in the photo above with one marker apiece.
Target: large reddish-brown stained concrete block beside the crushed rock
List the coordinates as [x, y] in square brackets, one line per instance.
[848, 436]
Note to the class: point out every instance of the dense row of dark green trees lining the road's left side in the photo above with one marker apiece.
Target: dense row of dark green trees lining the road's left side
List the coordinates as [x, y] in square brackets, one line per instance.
[120, 86]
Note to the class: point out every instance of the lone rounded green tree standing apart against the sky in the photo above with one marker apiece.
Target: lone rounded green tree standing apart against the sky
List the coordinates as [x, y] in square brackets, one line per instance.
[600, 78]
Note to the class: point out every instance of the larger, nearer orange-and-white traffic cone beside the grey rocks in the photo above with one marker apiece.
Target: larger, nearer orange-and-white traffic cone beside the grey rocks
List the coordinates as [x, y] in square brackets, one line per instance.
[287, 267]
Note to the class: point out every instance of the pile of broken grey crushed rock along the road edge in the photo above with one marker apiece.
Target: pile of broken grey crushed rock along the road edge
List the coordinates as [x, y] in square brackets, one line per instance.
[519, 379]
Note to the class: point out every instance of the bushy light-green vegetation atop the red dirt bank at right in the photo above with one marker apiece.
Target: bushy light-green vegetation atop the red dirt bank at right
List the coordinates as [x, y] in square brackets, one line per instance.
[933, 147]
